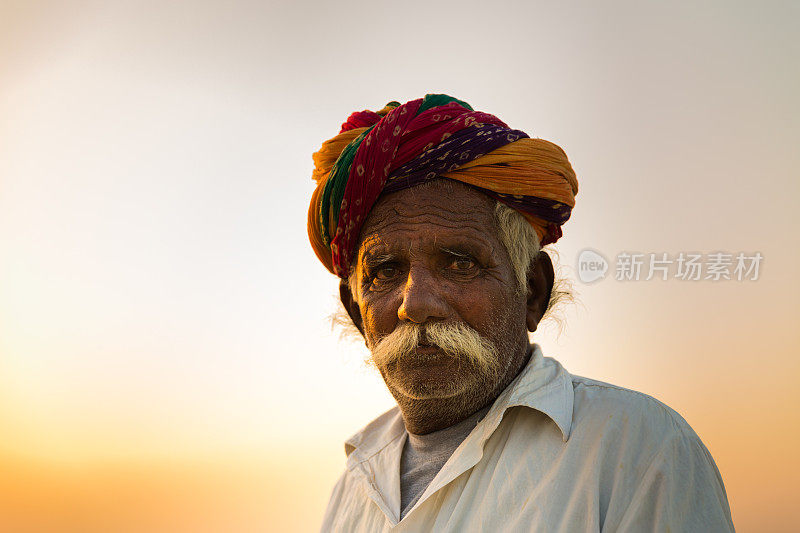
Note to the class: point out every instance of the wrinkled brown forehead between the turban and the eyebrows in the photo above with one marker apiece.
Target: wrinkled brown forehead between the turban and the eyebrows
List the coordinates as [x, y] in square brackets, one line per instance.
[441, 209]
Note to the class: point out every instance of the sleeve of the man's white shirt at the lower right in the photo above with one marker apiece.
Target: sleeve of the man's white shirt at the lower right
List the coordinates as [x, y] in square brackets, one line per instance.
[681, 490]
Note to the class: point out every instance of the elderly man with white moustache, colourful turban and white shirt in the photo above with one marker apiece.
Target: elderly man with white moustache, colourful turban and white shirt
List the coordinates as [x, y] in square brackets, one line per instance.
[433, 216]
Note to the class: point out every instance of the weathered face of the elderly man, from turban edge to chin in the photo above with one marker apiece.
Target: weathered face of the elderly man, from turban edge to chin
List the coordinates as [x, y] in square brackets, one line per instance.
[432, 255]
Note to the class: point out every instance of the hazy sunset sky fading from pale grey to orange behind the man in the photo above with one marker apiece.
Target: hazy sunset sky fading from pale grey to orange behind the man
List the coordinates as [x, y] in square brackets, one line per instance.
[167, 361]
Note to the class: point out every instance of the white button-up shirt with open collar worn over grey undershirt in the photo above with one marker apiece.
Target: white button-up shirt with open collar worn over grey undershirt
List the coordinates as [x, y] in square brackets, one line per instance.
[555, 452]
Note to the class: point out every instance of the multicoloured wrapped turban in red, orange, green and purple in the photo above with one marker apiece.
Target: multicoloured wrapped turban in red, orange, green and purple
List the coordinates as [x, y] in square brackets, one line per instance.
[401, 146]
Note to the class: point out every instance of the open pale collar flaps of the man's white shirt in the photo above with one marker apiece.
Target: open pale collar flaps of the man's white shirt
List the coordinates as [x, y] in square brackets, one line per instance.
[543, 385]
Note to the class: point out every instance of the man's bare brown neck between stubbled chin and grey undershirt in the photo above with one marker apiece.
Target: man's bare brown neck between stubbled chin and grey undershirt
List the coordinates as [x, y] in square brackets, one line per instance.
[426, 416]
